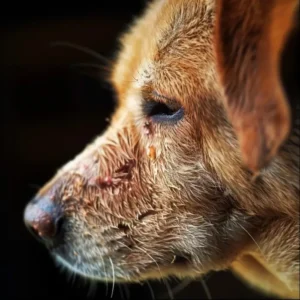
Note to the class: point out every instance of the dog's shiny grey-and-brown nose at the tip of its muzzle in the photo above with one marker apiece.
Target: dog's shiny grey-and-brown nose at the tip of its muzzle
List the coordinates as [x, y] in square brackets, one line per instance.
[43, 218]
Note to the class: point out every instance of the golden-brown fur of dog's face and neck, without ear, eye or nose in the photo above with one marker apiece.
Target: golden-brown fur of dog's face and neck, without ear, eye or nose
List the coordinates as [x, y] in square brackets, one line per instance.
[194, 207]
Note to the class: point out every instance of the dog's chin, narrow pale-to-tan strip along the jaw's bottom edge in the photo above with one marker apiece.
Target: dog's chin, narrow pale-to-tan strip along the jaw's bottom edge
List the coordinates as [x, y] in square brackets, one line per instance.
[101, 272]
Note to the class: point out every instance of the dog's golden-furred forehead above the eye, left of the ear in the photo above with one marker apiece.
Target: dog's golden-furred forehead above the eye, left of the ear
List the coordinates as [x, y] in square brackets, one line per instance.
[169, 49]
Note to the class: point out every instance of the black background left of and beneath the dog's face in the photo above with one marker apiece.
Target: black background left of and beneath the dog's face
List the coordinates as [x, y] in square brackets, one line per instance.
[51, 108]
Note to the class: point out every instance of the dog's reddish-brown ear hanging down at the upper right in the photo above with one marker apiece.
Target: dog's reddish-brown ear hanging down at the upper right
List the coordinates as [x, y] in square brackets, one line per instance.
[249, 39]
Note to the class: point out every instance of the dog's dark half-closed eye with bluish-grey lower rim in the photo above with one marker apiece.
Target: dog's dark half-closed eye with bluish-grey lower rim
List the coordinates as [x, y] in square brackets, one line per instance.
[163, 112]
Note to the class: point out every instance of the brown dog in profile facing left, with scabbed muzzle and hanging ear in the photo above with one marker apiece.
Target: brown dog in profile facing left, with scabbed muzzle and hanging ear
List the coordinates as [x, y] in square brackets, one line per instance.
[169, 187]
